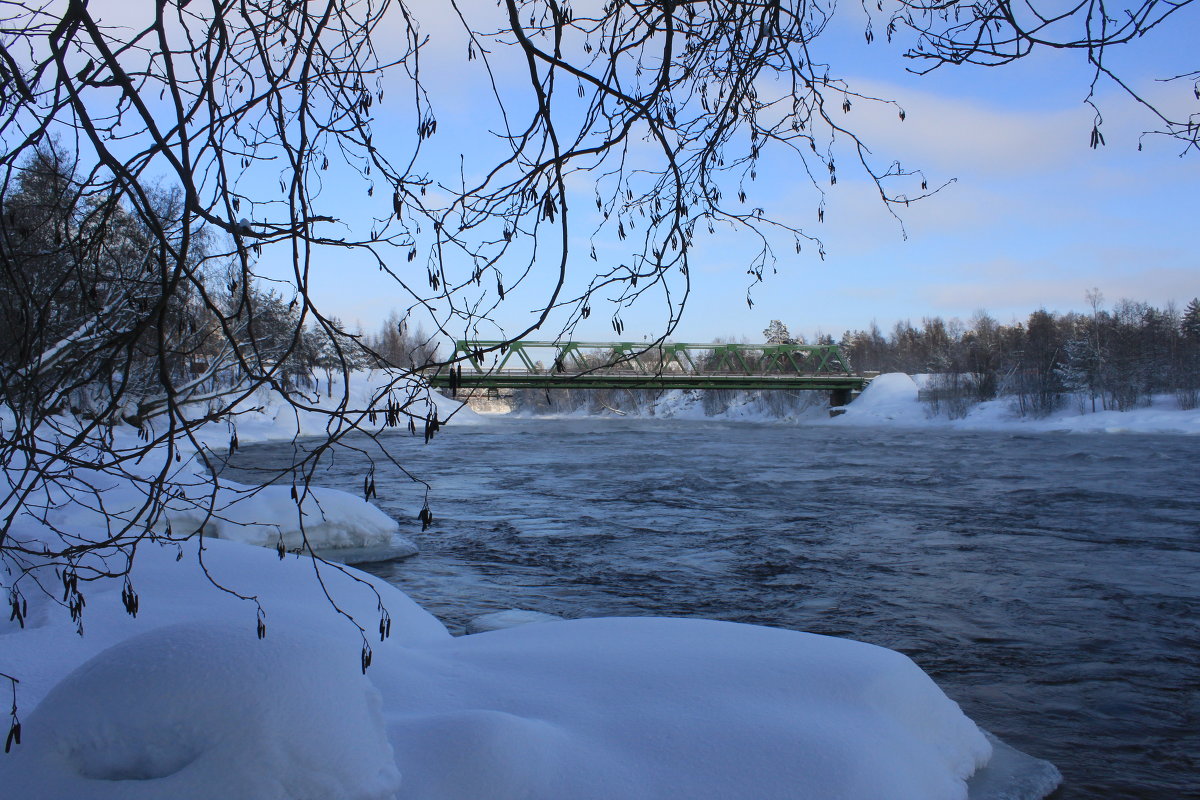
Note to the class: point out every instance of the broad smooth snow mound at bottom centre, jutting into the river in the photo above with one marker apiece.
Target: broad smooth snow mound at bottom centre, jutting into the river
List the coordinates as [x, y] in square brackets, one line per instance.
[674, 708]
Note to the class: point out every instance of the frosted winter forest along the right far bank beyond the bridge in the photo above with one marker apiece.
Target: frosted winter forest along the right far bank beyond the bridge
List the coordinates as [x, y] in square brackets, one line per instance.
[1108, 359]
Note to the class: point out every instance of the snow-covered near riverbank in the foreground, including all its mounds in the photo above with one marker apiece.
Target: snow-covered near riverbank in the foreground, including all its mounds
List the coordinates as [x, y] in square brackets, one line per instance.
[184, 701]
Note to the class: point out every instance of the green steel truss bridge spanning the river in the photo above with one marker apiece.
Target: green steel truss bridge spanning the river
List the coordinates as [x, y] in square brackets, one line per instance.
[495, 365]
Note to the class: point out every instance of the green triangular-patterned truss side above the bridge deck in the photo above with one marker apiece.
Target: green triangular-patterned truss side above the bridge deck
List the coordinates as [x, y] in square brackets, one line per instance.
[709, 359]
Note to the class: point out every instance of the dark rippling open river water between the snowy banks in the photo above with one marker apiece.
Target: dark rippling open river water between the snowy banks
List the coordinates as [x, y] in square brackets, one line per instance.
[1049, 584]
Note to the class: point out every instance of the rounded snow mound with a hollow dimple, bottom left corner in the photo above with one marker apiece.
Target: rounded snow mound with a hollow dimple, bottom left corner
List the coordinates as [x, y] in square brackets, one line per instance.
[203, 711]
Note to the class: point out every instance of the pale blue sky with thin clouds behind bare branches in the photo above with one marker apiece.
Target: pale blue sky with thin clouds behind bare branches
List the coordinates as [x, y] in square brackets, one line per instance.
[1031, 218]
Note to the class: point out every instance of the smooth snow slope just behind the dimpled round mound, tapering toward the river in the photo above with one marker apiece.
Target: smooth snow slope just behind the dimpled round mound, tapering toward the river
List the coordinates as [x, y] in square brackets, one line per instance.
[177, 592]
